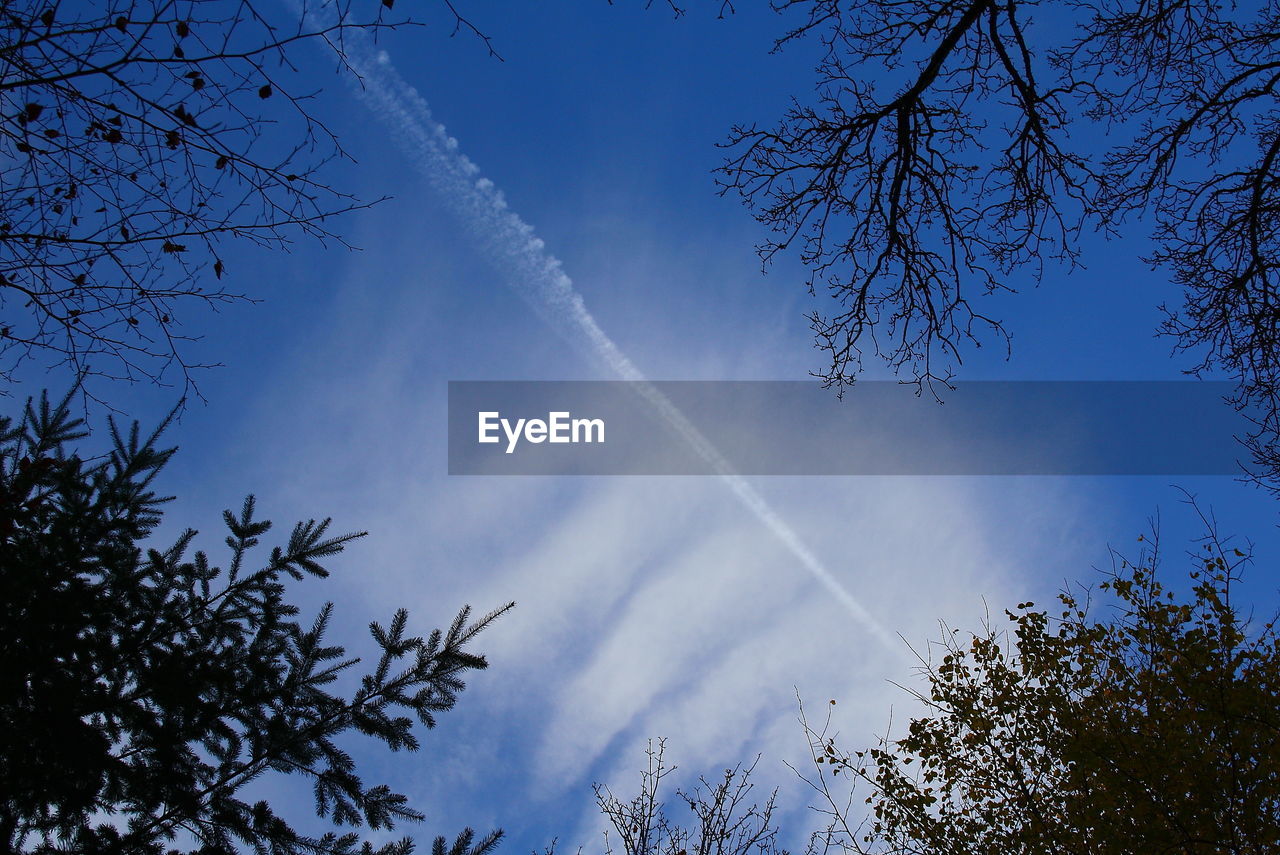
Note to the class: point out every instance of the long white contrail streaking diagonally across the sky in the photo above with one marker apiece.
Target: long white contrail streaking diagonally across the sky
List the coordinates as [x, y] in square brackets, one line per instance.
[540, 277]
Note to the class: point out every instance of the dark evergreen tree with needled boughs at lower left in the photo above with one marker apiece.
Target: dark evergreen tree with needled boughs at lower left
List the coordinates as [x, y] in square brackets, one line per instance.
[144, 687]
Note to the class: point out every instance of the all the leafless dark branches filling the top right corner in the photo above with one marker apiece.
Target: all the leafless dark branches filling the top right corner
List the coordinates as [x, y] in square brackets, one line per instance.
[1002, 139]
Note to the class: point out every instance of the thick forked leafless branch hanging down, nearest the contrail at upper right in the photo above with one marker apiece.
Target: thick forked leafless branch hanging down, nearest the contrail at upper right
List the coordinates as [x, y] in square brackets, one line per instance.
[904, 204]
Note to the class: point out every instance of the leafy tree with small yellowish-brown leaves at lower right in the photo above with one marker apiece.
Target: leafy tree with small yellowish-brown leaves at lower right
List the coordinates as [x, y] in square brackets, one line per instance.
[1142, 723]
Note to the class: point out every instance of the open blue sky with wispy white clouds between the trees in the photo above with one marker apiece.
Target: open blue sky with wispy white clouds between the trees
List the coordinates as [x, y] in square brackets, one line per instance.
[647, 606]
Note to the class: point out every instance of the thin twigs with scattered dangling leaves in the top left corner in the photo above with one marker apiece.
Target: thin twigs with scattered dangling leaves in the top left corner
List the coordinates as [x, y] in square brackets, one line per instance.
[138, 138]
